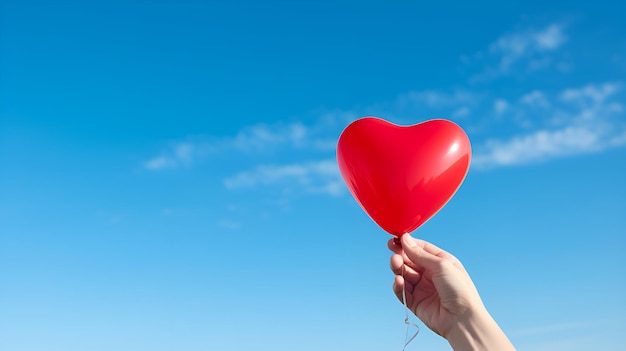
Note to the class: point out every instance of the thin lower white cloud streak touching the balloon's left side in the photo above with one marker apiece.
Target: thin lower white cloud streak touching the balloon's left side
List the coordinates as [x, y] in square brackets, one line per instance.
[319, 177]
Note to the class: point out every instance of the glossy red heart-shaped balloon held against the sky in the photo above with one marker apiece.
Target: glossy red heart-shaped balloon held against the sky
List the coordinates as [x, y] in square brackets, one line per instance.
[401, 176]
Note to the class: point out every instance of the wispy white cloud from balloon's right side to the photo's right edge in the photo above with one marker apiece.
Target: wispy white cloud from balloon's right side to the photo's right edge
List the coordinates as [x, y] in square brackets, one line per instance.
[586, 120]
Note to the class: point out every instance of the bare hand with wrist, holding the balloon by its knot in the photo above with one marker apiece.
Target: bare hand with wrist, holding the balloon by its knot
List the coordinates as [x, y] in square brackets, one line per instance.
[441, 293]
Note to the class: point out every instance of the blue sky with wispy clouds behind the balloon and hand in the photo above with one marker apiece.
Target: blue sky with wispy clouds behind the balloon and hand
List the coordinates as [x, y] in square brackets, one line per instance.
[168, 177]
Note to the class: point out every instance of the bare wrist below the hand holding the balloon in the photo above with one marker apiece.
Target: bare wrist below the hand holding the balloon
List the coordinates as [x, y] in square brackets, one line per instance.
[478, 331]
